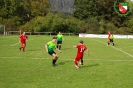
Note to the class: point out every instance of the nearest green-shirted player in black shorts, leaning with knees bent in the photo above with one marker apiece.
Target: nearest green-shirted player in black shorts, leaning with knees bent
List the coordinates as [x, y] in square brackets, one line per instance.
[50, 46]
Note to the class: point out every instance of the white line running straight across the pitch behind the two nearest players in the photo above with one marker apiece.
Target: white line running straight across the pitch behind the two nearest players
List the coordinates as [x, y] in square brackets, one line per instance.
[66, 59]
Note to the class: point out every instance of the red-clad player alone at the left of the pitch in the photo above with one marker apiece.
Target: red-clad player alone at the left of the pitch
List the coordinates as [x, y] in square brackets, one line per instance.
[22, 40]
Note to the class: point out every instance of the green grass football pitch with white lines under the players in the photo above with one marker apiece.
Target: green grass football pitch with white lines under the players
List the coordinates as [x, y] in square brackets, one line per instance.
[105, 67]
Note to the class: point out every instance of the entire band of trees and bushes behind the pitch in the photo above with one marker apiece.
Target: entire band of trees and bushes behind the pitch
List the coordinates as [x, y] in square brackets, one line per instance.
[88, 16]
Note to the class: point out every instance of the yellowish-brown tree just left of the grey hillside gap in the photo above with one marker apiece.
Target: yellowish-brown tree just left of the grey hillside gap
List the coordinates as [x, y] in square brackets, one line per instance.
[36, 7]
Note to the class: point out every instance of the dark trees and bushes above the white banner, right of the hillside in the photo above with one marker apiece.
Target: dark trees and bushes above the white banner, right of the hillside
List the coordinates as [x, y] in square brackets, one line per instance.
[104, 14]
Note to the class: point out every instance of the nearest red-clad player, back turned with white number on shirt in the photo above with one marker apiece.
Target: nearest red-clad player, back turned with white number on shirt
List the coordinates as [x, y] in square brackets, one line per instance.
[81, 48]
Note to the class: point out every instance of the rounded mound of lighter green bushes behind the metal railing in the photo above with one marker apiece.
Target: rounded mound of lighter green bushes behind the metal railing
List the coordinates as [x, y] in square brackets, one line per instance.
[53, 22]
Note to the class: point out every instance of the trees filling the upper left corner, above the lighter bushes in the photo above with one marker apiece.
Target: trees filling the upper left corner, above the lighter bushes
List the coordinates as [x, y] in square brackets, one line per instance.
[22, 11]
